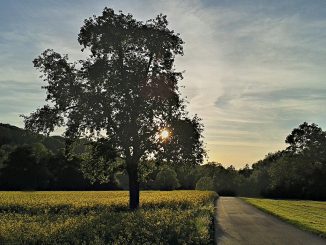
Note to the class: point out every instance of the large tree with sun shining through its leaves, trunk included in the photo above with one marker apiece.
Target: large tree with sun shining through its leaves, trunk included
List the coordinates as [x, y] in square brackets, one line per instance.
[126, 91]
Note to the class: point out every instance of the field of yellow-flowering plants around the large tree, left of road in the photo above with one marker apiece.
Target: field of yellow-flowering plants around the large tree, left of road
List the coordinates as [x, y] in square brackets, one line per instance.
[173, 217]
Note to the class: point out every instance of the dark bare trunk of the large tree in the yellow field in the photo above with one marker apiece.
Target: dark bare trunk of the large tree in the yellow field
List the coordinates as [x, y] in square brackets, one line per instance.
[132, 168]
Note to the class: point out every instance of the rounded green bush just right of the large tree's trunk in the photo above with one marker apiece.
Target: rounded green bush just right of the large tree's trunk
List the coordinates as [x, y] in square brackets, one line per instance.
[166, 179]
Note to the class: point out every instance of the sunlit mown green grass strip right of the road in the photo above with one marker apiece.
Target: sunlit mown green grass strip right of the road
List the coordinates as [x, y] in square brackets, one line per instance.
[307, 215]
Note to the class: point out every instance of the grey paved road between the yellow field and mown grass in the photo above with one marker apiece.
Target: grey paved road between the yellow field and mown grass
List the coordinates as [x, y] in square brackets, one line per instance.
[240, 223]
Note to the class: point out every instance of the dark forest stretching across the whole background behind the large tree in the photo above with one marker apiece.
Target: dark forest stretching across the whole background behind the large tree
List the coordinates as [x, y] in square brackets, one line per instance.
[35, 162]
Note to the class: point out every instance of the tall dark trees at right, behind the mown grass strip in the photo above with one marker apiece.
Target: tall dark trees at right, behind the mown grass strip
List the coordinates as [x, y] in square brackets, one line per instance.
[299, 171]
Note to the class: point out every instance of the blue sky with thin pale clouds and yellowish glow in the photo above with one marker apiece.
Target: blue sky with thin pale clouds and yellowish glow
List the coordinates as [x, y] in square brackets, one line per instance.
[254, 70]
